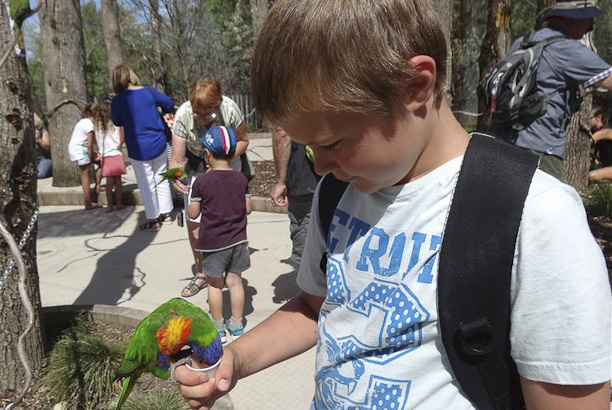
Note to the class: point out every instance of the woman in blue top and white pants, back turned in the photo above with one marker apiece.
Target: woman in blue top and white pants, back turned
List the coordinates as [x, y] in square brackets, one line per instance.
[135, 108]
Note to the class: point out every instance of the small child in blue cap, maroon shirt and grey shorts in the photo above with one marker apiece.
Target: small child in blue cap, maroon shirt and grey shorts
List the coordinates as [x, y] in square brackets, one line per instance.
[219, 196]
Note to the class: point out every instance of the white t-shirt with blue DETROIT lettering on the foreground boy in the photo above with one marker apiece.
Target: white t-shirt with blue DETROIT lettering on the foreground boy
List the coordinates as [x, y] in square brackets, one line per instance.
[379, 343]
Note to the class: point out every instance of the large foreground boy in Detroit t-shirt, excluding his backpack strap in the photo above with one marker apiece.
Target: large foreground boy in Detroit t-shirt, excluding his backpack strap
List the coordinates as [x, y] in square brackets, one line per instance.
[362, 84]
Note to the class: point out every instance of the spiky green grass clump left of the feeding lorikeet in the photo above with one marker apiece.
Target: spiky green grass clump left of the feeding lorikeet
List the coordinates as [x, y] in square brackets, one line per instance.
[82, 366]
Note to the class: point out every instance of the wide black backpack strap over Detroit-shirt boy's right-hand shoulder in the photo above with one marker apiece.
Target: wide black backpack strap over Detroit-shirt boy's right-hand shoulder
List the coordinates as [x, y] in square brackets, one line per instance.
[475, 268]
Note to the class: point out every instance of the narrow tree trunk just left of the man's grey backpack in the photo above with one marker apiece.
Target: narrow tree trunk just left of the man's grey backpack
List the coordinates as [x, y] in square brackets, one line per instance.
[494, 47]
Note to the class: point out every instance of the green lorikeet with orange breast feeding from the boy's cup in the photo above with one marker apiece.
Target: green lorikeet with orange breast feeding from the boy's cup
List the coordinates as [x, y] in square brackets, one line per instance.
[158, 342]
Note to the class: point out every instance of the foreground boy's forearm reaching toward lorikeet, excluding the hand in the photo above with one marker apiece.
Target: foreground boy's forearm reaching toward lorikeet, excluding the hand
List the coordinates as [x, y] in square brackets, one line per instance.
[289, 331]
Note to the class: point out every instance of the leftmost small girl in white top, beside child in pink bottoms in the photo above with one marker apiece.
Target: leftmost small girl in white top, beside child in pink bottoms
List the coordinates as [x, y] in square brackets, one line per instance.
[80, 151]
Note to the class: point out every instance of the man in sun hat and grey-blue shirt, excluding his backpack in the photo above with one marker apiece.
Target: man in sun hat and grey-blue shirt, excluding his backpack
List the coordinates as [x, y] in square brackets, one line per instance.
[565, 66]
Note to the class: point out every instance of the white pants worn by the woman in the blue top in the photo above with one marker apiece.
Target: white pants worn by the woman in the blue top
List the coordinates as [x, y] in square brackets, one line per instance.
[155, 194]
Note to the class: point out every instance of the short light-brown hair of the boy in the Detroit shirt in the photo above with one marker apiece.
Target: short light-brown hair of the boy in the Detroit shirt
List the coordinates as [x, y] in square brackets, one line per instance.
[343, 56]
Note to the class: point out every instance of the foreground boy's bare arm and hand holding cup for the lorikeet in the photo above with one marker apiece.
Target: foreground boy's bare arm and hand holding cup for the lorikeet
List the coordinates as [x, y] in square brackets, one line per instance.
[289, 331]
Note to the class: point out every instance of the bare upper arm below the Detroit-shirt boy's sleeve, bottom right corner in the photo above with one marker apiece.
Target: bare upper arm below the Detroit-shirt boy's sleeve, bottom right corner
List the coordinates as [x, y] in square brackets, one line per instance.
[545, 396]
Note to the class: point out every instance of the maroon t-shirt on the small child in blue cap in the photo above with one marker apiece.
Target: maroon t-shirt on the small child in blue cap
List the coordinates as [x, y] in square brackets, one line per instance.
[222, 196]
